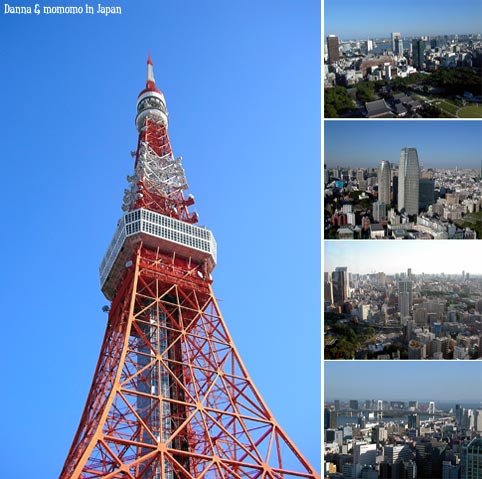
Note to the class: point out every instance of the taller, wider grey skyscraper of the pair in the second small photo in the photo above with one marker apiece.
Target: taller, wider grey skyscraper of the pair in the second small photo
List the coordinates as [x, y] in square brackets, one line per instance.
[408, 182]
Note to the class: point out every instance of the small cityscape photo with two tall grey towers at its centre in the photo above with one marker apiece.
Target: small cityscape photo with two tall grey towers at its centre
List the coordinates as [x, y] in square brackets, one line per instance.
[410, 180]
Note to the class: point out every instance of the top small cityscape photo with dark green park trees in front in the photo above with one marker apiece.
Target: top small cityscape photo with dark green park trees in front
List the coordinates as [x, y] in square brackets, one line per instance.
[403, 59]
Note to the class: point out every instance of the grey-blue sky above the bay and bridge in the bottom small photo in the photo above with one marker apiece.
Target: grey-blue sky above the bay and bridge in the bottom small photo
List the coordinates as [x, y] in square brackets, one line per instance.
[403, 380]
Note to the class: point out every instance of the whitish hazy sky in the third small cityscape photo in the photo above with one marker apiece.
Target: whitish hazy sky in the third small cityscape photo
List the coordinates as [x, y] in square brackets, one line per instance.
[390, 257]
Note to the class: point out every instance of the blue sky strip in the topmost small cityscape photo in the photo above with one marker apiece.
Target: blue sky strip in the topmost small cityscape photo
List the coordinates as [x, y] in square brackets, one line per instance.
[353, 19]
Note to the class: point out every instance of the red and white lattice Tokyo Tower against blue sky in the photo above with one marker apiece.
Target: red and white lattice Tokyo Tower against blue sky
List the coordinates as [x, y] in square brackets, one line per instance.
[170, 398]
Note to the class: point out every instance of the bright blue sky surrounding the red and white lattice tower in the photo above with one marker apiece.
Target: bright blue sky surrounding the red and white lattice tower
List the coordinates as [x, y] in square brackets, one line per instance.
[241, 81]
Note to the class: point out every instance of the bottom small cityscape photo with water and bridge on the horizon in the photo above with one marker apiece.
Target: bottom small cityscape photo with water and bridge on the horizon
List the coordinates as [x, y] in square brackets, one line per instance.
[402, 420]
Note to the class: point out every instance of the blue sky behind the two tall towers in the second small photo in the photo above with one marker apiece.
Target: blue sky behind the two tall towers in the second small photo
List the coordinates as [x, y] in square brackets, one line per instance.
[440, 144]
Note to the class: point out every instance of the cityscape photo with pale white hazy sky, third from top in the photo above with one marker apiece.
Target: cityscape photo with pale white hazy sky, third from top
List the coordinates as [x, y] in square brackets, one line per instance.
[420, 300]
